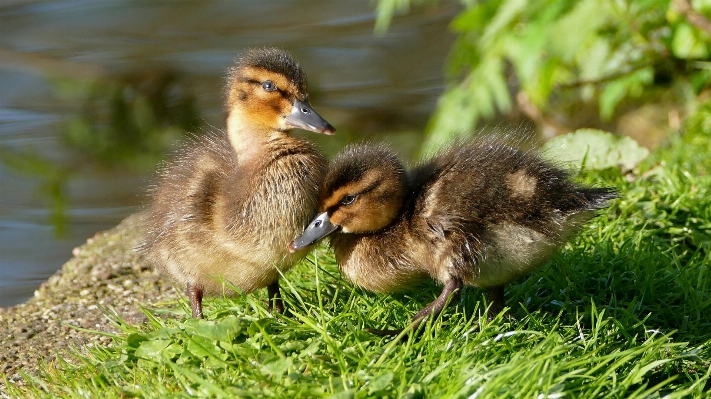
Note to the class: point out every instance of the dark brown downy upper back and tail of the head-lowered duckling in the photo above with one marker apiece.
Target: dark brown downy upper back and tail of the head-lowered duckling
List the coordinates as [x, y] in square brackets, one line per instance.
[486, 183]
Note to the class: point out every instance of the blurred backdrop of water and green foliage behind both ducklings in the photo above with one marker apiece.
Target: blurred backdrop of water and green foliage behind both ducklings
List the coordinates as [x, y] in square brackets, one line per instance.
[94, 94]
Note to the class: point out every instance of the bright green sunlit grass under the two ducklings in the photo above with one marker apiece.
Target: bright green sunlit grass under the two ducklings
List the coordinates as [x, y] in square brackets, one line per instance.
[623, 311]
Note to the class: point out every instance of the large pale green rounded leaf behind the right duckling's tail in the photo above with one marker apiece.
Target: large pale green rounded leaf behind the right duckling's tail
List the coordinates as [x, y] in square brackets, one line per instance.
[596, 149]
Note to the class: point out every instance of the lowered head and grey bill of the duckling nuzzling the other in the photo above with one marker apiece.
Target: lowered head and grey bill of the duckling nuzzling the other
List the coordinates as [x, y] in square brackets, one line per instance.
[362, 193]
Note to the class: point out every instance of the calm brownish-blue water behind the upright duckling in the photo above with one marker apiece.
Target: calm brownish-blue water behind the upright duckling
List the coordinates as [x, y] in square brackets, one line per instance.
[57, 188]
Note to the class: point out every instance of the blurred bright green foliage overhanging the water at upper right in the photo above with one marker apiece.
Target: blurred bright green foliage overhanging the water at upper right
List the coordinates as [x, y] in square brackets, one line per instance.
[561, 54]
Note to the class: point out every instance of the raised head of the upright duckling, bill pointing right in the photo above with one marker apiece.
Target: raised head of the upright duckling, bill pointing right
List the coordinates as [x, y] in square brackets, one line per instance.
[267, 93]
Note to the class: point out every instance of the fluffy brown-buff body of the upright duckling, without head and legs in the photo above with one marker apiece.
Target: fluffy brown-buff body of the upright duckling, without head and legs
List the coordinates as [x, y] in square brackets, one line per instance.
[216, 217]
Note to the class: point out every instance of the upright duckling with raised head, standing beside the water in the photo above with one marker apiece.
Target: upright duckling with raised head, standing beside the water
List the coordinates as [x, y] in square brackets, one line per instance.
[230, 202]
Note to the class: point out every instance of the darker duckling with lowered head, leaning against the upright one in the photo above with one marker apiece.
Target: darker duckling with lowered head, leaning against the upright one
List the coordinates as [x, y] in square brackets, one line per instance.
[480, 213]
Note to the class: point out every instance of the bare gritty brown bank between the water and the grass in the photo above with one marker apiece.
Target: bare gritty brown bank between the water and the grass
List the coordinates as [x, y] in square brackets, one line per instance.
[105, 273]
